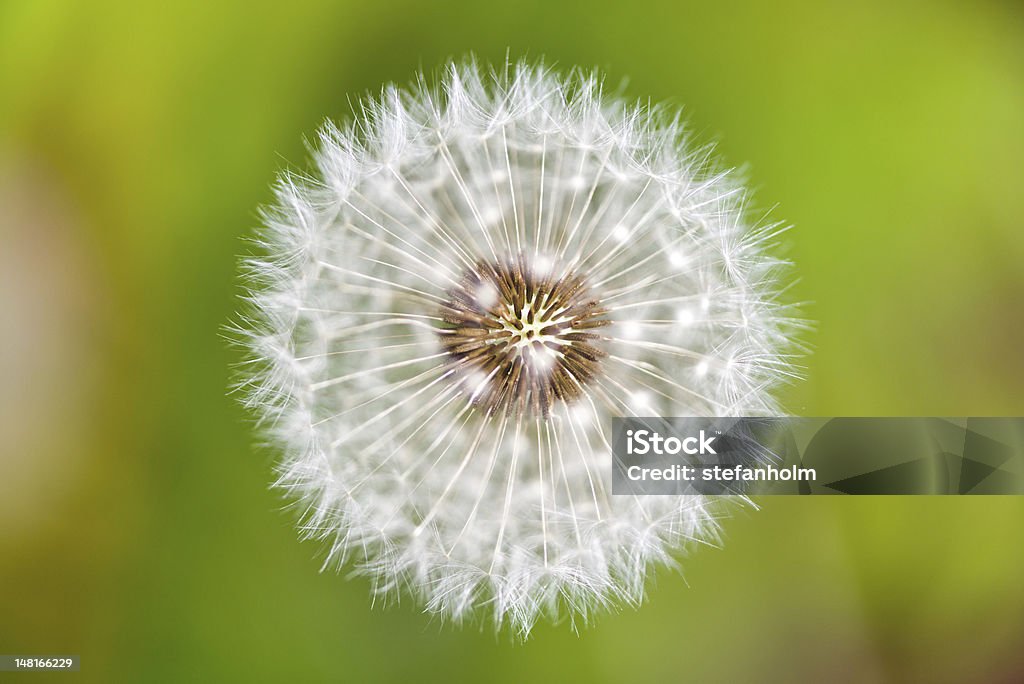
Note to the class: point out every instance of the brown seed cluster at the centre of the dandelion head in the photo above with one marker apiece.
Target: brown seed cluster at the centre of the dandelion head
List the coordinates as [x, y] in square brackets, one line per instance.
[523, 338]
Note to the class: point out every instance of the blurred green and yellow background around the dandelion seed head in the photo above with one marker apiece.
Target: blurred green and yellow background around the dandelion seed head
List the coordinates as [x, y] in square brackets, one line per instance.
[137, 143]
